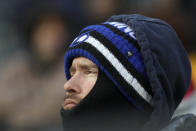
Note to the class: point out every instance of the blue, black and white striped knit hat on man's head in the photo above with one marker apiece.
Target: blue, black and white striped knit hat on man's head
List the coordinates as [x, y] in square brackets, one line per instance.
[113, 47]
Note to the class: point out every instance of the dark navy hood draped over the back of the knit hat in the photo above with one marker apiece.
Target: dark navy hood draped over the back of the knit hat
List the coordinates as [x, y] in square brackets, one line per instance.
[166, 62]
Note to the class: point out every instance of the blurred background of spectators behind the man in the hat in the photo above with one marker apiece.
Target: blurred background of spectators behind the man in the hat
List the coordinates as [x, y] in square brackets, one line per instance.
[33, 38]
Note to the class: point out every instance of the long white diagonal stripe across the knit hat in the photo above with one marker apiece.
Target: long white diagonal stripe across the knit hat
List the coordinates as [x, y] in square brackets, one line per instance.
[118, 66]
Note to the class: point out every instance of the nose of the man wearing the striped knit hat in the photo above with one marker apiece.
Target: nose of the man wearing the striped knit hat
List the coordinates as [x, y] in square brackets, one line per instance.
[72, 86]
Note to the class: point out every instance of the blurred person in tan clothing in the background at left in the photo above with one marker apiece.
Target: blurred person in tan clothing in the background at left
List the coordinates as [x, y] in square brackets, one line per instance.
[32, 79]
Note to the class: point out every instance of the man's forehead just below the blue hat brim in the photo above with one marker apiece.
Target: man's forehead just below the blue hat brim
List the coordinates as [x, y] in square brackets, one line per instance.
[82, 61]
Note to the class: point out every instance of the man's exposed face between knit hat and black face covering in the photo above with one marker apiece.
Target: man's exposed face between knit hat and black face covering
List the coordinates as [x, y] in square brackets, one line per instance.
[84, 74]
